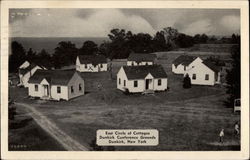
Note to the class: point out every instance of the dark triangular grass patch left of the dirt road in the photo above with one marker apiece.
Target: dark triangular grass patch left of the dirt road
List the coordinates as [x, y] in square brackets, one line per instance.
[28, 136]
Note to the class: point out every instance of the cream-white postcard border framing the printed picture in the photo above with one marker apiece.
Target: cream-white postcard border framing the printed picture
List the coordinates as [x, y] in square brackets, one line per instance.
[243, 154]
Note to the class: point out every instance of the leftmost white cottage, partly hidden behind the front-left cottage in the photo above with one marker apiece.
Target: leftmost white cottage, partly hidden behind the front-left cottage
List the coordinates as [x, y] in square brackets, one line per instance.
[26, 70]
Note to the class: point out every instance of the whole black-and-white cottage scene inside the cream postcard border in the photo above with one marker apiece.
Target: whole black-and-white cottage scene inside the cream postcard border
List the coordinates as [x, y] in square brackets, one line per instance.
[124, 79]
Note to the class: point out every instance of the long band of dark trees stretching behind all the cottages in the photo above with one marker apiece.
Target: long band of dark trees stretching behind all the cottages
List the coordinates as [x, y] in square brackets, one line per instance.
[121, 43]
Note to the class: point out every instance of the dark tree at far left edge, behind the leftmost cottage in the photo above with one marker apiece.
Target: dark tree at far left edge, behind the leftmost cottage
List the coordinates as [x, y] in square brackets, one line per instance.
[17, 57]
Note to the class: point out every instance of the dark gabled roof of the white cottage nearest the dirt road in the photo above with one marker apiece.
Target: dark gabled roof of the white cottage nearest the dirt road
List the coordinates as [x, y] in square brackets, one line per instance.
[54, 77]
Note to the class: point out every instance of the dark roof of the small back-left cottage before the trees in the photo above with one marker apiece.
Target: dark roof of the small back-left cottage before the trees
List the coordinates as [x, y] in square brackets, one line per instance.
[92, 59]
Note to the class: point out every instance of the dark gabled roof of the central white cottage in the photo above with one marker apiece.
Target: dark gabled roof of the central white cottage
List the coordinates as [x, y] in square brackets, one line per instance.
[140, 72]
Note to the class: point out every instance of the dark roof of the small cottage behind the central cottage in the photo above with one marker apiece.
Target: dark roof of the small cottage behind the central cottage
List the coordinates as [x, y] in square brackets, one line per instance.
[142, 57]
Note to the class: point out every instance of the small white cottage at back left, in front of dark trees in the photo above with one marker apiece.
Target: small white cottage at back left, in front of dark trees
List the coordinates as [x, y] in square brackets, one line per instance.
[91, 63]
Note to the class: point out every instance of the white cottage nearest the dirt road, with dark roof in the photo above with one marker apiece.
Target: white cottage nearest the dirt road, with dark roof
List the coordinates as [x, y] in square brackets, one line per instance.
[56, 84]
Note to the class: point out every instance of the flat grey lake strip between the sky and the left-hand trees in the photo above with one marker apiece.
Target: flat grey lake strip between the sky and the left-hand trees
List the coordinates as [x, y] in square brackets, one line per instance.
[50, 43]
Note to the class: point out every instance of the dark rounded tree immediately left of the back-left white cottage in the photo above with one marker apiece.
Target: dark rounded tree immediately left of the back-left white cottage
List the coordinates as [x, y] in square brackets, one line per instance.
[65, 54]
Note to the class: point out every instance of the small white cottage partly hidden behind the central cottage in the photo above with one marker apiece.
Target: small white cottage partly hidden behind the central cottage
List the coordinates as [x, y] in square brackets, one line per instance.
[138, 59]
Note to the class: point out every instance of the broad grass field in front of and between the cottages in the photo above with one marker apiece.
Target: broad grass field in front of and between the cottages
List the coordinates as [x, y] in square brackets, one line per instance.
[187, 119]
